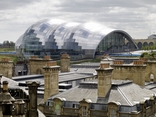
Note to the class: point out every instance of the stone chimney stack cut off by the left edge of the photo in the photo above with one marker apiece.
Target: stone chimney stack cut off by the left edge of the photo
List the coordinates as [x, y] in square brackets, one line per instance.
[6, 67]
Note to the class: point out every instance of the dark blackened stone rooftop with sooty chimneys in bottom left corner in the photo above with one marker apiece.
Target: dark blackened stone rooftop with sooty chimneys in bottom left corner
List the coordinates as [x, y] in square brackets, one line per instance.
[15, 101]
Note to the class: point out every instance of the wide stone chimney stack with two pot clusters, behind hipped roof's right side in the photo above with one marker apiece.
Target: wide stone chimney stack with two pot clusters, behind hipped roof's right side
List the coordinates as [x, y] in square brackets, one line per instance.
[134, 72]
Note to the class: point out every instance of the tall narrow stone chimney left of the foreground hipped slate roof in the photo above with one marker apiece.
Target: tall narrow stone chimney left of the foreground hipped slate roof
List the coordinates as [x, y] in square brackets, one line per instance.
[51, 79]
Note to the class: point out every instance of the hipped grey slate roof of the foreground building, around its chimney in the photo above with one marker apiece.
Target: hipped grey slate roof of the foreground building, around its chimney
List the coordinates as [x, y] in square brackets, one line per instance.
[125, 92]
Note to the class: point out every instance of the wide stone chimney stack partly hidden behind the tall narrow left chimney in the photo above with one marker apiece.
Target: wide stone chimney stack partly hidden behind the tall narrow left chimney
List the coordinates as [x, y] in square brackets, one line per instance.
[35, 64]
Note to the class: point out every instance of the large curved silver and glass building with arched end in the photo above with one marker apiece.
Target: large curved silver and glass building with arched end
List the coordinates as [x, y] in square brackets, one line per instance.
[88, 40]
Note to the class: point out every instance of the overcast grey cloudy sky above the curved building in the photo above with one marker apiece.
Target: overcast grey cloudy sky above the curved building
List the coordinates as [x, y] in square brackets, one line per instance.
[137, 18]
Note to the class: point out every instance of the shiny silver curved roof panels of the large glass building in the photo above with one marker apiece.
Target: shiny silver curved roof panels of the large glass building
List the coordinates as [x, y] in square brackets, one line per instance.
[62, 31]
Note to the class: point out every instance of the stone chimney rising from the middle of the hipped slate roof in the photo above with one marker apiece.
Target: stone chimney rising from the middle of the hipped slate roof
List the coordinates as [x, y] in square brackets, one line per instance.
[104, 79]
